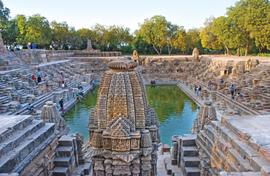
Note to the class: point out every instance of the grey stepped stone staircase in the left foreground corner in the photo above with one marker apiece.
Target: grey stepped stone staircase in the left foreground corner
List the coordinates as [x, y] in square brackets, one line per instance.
[21, 140]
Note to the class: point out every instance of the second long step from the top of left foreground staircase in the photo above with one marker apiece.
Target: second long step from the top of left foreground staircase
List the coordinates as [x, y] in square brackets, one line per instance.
[14, 140]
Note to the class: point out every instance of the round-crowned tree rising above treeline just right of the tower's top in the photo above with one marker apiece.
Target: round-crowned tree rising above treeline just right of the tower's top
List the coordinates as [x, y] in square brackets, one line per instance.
[154, 32]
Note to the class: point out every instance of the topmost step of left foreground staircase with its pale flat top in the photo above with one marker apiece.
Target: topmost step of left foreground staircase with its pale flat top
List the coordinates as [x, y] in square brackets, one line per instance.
[12, 125]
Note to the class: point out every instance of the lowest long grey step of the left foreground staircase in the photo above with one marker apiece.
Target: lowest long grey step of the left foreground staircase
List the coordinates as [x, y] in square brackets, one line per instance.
[18, 154]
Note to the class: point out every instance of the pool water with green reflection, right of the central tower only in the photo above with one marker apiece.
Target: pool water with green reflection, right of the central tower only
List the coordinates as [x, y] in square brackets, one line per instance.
[174, 109]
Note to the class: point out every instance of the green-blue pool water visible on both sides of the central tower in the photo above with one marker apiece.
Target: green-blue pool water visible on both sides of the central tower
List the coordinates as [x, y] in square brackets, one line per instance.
[175, 112]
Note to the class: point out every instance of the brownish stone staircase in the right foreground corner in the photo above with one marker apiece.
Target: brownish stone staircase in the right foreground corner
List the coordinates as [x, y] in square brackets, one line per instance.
[228, 148]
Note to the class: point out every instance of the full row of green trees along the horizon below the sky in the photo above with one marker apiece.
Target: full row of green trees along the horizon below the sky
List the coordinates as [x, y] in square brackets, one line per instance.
[244, 29]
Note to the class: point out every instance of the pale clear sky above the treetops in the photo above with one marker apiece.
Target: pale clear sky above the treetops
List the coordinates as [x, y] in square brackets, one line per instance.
[129, 13]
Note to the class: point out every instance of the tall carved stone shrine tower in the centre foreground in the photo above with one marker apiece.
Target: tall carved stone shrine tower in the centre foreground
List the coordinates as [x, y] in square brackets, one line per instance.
[123, 129]
